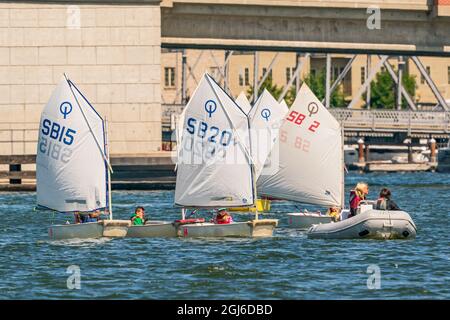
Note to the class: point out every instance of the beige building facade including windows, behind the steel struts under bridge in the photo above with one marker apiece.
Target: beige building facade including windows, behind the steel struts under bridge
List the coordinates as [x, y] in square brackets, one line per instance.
[241, 75]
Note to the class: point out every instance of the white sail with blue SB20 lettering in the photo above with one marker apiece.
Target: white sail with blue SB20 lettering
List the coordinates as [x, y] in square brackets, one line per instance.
[213, 165]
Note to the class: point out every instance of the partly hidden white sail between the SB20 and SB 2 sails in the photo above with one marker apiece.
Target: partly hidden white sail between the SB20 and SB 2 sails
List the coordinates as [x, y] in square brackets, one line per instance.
[265, 120]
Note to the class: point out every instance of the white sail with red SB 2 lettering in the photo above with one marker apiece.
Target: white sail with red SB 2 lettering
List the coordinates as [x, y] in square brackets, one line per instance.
[311, 153]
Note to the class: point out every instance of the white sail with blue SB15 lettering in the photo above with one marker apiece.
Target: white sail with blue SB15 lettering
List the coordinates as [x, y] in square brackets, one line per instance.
[71, 170]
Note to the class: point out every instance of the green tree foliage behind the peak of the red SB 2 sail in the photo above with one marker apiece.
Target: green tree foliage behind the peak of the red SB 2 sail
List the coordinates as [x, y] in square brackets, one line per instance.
[316, 82]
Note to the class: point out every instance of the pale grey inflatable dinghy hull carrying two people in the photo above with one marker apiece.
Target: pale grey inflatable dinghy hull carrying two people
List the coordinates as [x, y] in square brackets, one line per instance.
[372, 224]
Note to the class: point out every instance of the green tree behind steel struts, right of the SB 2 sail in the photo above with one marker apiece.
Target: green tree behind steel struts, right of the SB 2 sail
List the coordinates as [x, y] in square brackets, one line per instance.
[383, 90]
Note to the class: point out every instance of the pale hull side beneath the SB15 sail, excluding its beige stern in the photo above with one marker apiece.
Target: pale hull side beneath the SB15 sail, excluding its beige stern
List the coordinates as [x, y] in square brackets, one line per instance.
[76, 231]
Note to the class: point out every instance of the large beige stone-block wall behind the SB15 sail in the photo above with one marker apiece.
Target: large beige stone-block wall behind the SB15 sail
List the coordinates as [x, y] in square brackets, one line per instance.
[113, 57]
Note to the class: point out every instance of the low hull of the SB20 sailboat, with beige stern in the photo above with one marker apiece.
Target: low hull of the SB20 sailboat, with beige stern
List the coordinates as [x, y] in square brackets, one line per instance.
[254, 228]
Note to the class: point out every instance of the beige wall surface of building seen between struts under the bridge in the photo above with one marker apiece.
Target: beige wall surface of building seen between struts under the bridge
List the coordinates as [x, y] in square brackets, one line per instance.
[350, 86]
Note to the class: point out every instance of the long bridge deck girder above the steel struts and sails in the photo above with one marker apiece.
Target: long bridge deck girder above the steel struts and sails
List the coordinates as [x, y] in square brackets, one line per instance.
[400, 27]
